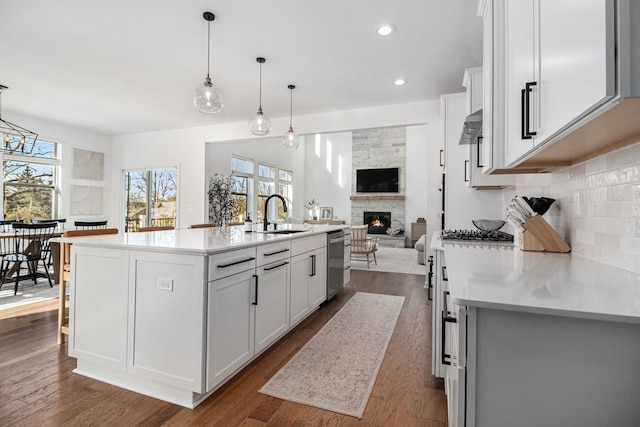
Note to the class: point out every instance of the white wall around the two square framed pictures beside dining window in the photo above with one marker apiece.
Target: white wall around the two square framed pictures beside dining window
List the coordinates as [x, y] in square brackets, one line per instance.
[70, 138]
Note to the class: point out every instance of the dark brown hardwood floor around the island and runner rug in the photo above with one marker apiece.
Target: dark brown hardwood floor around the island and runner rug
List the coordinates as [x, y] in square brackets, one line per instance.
[37, 387]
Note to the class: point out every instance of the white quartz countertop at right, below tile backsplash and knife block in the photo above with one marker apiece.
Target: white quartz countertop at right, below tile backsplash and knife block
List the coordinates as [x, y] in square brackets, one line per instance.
[504, 277]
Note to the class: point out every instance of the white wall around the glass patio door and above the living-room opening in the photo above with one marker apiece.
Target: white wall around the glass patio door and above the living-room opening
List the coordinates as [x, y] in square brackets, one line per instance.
[185, 149]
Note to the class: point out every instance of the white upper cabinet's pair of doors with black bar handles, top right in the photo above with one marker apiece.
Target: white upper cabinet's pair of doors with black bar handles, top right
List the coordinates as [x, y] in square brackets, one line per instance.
[555, 73]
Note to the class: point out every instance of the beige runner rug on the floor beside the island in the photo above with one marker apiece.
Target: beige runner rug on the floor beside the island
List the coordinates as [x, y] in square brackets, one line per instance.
[337, 368]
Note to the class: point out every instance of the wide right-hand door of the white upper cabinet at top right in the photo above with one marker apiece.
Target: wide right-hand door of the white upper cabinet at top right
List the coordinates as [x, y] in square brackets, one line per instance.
[576, 61]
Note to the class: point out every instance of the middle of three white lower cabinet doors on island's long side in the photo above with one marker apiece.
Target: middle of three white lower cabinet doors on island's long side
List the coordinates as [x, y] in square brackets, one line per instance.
[272, 308]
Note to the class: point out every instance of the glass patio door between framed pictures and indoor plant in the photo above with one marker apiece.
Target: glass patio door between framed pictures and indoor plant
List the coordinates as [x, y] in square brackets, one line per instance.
[150, 198]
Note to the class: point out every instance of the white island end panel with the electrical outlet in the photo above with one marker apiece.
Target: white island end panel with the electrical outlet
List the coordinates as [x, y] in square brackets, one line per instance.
[168, 308]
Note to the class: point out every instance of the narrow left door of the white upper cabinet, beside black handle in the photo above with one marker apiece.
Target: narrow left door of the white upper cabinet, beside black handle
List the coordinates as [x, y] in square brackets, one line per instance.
[520, 69]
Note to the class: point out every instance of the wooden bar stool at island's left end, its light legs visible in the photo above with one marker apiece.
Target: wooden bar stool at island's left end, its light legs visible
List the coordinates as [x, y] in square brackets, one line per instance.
[64, 272]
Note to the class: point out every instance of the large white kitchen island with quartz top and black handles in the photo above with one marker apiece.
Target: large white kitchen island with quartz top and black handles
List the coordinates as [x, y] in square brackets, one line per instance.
[175, 314]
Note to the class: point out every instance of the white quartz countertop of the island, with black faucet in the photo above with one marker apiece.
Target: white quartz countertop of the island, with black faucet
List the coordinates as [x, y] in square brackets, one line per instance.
[198, 240]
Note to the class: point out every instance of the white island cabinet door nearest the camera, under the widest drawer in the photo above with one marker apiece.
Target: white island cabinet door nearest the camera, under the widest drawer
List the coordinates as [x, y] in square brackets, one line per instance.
[230, 339]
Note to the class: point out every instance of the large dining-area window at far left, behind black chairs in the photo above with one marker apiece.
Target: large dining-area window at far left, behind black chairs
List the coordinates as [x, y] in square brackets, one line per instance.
[30, 179]
